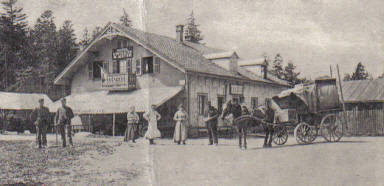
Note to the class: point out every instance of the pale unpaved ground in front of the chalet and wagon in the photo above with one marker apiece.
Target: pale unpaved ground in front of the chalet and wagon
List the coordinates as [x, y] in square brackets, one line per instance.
[107, 161]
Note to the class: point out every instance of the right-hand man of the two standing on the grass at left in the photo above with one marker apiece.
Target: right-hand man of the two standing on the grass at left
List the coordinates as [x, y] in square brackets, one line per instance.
[63, 121]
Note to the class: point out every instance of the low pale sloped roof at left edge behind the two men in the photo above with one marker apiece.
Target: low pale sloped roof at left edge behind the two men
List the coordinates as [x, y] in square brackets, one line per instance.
[21, 101]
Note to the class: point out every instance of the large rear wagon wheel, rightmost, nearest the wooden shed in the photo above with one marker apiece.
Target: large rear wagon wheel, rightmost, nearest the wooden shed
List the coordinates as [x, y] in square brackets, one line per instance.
[331, 128]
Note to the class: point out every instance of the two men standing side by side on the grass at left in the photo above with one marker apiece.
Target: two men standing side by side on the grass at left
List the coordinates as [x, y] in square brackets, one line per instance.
[62, 120]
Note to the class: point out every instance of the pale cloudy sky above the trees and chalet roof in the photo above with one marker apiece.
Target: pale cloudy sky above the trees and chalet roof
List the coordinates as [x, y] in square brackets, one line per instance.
[313, 34]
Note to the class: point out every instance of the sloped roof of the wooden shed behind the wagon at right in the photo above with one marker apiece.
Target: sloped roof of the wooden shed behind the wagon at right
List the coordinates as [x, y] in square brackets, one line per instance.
[363, 91]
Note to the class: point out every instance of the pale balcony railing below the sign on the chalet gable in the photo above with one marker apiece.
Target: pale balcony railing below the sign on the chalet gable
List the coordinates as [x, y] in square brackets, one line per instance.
[118, 81]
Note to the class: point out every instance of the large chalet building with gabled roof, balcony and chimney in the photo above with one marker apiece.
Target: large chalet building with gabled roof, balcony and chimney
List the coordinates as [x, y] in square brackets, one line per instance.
[124, 66]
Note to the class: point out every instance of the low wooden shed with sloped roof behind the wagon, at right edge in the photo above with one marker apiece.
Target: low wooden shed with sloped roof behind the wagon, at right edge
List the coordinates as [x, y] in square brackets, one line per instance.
[364, 103]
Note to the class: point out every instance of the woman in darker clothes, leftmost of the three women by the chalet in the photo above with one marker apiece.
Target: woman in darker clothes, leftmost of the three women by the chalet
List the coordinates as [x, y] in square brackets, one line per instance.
[132, 125]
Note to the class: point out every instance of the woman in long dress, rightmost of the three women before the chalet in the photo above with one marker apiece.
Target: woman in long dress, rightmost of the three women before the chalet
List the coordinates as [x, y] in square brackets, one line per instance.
[181, 118]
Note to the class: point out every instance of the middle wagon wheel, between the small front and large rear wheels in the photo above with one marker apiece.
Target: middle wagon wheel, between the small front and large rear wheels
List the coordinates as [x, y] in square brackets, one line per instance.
[305, 134]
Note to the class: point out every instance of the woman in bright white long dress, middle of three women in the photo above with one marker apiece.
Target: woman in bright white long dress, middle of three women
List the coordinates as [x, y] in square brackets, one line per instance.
[152, 117]
